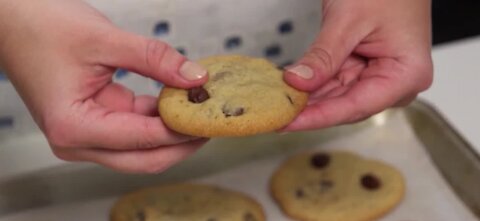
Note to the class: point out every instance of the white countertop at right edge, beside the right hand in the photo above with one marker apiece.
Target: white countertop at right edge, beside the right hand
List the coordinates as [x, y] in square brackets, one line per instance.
[456, 87]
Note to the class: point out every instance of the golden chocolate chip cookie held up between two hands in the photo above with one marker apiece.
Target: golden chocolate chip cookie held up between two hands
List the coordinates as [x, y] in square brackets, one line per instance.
[243, 96]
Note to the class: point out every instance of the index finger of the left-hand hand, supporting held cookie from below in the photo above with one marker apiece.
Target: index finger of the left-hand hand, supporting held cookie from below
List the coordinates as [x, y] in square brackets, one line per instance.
[100, 127]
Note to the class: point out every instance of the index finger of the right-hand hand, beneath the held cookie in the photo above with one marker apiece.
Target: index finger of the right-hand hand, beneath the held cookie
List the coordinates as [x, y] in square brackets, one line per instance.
[368, 96]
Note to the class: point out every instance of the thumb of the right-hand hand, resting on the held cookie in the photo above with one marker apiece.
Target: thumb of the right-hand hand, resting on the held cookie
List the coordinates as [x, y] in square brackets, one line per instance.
[335, 42]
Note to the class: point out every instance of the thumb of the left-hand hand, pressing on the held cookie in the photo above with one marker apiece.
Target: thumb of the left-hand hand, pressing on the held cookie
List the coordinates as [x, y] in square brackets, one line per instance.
[154, 59]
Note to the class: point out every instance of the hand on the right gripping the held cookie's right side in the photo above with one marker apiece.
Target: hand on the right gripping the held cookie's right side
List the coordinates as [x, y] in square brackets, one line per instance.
[368, 56]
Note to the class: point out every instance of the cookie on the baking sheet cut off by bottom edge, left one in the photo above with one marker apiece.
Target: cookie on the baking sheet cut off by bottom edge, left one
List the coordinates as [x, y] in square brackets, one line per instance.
[186, 202]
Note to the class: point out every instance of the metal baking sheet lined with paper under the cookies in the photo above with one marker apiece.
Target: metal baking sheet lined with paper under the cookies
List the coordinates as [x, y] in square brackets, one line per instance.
[442, 171]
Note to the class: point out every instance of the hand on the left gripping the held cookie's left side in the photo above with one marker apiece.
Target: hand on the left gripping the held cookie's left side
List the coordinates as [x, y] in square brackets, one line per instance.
[61, 55]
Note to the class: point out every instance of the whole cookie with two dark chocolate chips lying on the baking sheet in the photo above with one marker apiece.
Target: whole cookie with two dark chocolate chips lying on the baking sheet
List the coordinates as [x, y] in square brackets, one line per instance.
[336, 186]
